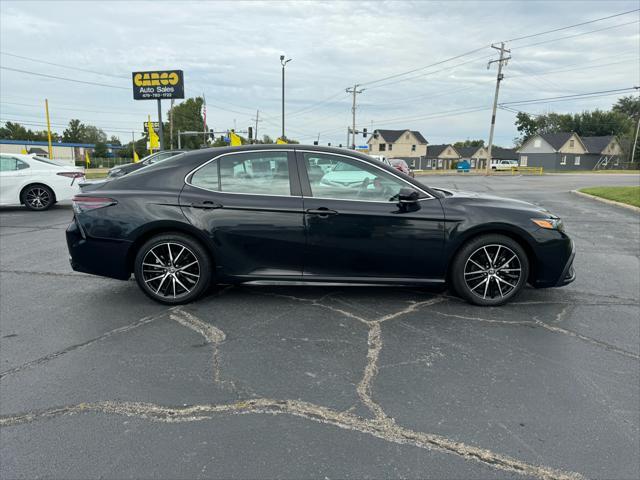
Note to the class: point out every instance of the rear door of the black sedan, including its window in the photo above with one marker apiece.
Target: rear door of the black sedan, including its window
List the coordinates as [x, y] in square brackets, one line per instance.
[257, 235]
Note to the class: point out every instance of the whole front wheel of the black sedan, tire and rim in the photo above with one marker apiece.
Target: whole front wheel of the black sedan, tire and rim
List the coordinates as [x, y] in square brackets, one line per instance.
[490, 270]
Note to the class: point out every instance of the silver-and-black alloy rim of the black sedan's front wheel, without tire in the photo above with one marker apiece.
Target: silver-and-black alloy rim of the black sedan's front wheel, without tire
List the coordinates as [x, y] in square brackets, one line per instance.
[492, 271]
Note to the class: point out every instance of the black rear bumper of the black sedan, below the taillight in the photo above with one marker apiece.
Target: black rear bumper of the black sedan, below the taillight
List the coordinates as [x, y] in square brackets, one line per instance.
[107, 258]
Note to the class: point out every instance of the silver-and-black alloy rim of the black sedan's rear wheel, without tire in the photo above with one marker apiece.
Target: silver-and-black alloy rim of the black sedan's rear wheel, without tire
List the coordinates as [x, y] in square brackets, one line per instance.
[170, 270]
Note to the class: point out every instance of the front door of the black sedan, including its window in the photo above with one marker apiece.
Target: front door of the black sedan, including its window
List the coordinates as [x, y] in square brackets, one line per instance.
[366, 232]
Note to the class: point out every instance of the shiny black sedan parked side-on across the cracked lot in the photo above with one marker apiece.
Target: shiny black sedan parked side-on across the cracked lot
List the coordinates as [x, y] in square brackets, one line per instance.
[309, 214]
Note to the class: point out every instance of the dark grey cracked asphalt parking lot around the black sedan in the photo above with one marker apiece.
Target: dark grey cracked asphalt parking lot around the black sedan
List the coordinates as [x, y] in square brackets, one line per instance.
[97, 381]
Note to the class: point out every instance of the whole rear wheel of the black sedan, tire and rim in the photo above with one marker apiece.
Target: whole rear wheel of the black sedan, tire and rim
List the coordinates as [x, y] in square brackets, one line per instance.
[165, 270]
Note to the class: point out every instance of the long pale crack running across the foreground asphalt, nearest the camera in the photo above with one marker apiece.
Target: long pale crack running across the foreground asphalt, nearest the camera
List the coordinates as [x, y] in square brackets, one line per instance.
[379, 428]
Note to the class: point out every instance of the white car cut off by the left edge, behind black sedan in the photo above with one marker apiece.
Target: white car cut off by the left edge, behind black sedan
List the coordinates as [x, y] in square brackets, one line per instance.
[36, 182]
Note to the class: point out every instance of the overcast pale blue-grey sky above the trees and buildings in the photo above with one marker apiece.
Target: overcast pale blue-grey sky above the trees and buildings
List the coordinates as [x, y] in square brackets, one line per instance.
[230, 51]
